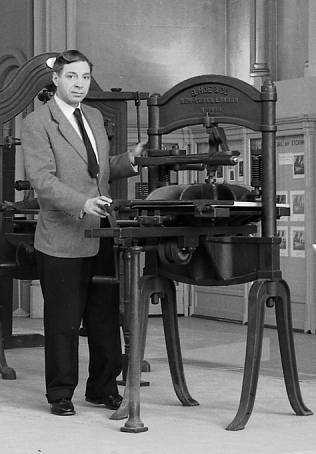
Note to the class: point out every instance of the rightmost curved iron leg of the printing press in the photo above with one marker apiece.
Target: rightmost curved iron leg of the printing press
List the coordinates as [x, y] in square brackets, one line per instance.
[287, 350]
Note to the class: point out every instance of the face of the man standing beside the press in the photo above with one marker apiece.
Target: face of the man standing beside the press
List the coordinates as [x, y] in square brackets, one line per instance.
[73, 82]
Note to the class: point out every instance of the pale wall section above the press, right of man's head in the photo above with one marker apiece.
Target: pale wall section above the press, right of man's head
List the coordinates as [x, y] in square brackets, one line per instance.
[151, 45]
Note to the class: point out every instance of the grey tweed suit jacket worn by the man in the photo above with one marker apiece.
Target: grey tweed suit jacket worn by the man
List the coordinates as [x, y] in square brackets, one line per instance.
[56, 164]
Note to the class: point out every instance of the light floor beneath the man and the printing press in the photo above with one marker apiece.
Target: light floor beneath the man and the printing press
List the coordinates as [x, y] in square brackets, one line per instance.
[213, 354]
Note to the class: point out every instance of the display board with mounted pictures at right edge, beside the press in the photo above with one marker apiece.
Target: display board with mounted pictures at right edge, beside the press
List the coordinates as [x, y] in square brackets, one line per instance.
[296, 186]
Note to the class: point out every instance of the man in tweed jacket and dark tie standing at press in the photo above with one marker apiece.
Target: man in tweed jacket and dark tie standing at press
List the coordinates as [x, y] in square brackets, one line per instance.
[73, 198]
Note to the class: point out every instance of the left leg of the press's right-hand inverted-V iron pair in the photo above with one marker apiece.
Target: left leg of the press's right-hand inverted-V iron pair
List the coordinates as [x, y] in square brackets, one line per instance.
[256, 308]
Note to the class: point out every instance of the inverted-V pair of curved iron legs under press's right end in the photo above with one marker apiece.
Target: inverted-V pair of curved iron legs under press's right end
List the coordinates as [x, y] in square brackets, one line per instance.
[260, 292]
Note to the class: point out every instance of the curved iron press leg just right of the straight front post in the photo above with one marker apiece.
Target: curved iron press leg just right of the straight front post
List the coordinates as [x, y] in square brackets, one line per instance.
[171, 329]
